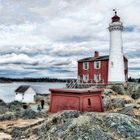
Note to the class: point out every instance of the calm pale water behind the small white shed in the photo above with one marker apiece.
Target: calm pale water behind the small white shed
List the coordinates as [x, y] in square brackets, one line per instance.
[7, 90]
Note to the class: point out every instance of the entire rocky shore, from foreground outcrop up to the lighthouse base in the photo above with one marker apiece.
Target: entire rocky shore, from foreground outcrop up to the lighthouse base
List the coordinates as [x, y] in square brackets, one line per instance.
[120, 121]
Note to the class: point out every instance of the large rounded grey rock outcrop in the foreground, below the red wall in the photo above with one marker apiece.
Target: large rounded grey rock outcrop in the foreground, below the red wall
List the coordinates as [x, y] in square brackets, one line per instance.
[74, 125]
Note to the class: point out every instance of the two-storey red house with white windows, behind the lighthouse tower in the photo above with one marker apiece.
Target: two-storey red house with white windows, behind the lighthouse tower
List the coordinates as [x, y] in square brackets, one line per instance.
[95, 69]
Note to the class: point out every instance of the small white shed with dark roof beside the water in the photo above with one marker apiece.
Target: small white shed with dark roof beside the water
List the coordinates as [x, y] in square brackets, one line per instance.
[25, 93]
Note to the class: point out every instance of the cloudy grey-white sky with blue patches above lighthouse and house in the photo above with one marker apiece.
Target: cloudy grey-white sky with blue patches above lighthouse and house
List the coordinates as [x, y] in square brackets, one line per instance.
[45, 38]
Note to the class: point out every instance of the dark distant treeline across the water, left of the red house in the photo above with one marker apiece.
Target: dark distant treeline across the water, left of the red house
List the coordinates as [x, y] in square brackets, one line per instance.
[9, 80]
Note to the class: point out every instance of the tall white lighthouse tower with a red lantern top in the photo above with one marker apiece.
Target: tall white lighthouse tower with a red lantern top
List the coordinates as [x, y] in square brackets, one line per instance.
[116, 61]
